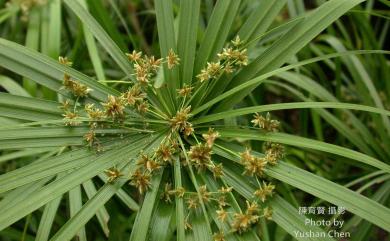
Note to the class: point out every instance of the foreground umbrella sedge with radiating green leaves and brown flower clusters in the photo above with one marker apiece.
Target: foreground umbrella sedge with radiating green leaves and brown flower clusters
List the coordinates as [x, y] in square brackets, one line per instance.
[160, 137]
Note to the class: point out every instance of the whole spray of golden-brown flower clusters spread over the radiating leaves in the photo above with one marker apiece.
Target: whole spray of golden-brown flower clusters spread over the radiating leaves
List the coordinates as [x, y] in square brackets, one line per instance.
[134, 102]
